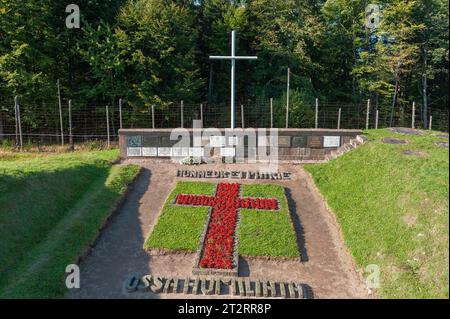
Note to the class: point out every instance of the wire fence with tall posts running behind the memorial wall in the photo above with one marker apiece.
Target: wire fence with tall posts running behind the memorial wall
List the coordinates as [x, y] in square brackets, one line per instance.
[45, 124]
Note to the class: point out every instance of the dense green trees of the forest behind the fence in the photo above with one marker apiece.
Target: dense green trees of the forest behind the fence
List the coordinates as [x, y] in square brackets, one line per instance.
[156, 52]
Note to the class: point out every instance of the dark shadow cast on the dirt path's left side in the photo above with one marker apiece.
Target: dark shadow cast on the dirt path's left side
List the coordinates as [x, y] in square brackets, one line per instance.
[118, 252]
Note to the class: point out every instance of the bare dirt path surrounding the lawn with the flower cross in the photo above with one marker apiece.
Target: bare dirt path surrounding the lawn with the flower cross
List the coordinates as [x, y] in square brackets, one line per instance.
[326, 266]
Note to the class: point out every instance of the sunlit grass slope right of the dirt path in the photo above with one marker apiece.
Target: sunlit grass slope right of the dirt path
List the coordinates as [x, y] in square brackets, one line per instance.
[394, 211]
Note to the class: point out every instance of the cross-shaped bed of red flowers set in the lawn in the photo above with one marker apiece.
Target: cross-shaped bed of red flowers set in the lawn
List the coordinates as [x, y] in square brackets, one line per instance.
[219, 243]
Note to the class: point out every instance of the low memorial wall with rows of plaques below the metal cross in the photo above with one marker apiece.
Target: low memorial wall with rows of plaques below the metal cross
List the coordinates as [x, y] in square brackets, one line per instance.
[231, 146]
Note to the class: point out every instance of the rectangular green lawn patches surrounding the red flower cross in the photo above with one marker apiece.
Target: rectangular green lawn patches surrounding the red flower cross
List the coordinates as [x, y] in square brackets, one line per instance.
[261, 233]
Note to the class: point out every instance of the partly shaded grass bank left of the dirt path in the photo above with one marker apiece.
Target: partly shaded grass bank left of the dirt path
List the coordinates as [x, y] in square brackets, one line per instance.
[52, 207]
